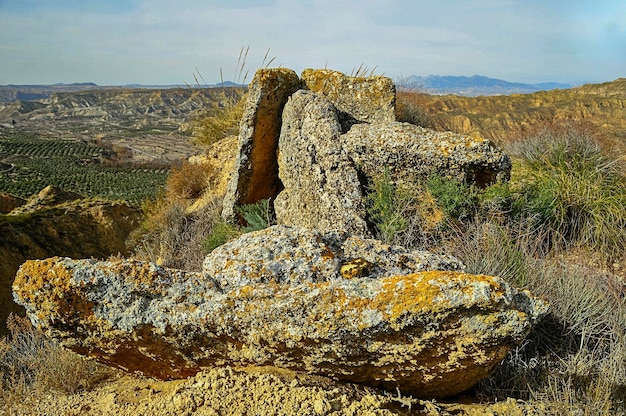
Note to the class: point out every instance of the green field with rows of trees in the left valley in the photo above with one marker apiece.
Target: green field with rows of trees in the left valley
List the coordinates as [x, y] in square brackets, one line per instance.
[30, 163]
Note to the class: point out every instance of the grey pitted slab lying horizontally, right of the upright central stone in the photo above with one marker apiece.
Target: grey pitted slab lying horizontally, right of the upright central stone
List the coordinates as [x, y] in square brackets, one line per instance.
[413, 152]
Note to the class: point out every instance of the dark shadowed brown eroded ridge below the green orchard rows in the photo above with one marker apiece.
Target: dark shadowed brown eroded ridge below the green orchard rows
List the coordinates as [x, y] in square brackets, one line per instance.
[78, 229]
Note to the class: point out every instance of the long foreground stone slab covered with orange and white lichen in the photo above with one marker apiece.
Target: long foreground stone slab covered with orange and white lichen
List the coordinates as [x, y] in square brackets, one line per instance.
[431, 334]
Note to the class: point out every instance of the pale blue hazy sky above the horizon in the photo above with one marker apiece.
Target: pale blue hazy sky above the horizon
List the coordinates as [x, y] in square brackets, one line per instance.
[165, 42]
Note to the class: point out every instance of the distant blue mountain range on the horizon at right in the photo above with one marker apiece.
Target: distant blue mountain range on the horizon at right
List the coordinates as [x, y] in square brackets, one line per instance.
[473, 86]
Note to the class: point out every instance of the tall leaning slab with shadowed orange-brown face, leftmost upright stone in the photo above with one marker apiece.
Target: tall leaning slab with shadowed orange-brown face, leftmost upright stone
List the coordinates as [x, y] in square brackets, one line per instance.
[255, 176]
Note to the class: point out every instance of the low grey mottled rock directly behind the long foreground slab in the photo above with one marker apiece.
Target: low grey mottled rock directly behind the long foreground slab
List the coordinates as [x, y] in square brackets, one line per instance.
[295, 255]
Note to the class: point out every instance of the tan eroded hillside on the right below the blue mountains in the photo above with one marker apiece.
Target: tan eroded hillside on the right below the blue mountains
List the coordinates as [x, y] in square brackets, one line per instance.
[602, 106]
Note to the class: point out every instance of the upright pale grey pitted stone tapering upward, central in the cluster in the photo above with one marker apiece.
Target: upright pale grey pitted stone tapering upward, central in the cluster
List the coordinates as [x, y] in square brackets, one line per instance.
[321, 185]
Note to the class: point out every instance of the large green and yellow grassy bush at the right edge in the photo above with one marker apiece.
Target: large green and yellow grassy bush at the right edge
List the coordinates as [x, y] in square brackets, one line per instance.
[575, 189]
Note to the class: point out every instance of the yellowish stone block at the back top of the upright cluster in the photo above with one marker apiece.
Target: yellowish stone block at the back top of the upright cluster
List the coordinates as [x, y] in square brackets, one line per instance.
[358, 99]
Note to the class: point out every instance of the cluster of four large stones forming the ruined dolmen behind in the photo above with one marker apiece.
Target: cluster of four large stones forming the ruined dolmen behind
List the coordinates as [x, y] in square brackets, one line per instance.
[335, 140]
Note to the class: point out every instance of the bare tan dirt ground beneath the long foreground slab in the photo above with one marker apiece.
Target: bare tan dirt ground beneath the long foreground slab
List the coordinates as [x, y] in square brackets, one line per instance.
[253, 391]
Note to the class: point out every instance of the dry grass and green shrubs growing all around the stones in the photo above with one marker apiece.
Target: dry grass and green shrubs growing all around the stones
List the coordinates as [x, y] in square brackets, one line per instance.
[556, 228]
